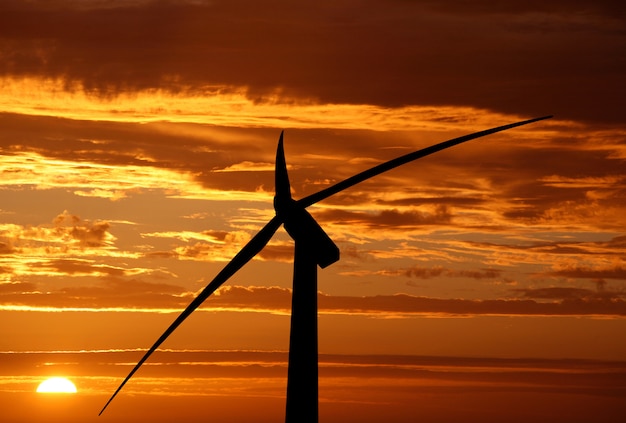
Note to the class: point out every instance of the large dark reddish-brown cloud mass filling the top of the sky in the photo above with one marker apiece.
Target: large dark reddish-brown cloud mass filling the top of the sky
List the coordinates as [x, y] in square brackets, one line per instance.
[520, 57]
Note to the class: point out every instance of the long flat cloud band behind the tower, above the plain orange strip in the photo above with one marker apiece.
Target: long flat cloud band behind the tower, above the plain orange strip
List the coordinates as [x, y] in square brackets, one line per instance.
[136, 295]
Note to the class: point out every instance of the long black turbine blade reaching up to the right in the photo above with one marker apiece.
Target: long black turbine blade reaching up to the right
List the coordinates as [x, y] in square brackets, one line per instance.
[391, 164]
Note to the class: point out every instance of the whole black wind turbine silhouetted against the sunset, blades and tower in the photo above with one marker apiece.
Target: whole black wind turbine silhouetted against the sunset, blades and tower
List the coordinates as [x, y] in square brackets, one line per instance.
[313, 247]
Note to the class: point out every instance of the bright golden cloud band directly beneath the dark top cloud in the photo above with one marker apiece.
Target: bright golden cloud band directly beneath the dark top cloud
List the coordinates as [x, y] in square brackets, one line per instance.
[224, 106]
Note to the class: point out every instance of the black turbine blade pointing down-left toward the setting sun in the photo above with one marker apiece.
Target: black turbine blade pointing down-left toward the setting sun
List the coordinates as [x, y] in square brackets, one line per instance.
[250, 250]
